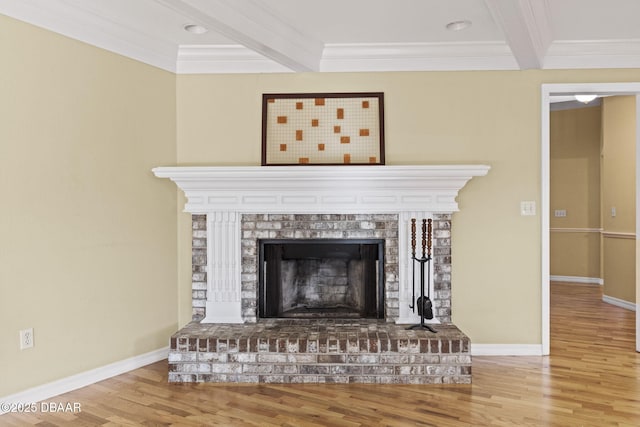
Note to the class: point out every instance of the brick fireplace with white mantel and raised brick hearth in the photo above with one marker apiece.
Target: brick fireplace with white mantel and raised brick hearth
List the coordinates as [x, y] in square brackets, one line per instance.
[234, 209]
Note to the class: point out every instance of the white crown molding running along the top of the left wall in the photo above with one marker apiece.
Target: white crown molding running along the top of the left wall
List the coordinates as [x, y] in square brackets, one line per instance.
[76, 20]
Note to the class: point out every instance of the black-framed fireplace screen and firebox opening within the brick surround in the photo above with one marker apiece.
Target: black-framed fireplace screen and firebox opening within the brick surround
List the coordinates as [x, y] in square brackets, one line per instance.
[319, 278]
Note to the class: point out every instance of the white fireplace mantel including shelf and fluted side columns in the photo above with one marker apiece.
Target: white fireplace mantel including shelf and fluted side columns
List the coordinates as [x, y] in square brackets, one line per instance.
[224, 193]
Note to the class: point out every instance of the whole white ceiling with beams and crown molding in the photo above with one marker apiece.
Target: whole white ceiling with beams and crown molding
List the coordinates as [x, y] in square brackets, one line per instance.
[349, 35]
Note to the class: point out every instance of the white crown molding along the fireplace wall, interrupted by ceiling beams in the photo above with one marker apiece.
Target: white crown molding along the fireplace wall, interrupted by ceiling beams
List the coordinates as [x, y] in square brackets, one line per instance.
[413, 57]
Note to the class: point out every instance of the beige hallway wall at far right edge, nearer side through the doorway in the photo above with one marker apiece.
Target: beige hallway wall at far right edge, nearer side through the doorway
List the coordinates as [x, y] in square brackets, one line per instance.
[618, 190]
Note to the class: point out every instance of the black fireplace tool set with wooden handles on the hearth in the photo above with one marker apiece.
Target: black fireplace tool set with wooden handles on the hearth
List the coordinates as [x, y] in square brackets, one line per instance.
[423, 303]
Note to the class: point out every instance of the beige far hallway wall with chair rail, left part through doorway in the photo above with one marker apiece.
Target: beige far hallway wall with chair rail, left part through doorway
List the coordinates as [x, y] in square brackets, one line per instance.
[575, 187]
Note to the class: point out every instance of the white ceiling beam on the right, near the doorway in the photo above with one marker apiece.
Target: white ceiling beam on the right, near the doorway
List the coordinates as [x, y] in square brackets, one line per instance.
[527, 28]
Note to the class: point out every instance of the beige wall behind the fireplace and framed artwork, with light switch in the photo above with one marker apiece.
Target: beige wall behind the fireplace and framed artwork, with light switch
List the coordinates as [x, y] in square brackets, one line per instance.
[431, 117]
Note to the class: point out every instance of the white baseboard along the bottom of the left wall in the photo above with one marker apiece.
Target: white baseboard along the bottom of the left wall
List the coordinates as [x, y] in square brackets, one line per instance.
[83, 379]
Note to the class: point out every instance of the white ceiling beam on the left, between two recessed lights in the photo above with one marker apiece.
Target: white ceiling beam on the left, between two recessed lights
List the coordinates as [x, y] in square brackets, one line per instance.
[251, 24]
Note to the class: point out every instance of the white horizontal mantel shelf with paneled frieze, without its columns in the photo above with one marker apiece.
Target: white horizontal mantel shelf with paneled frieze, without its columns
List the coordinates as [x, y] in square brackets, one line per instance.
[330, 189]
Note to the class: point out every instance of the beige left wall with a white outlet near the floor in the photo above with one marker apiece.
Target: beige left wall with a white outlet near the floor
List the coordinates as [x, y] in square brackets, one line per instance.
[87, 233]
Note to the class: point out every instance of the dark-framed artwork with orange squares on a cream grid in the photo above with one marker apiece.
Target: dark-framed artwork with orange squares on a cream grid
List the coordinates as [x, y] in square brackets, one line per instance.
[323, 129]
